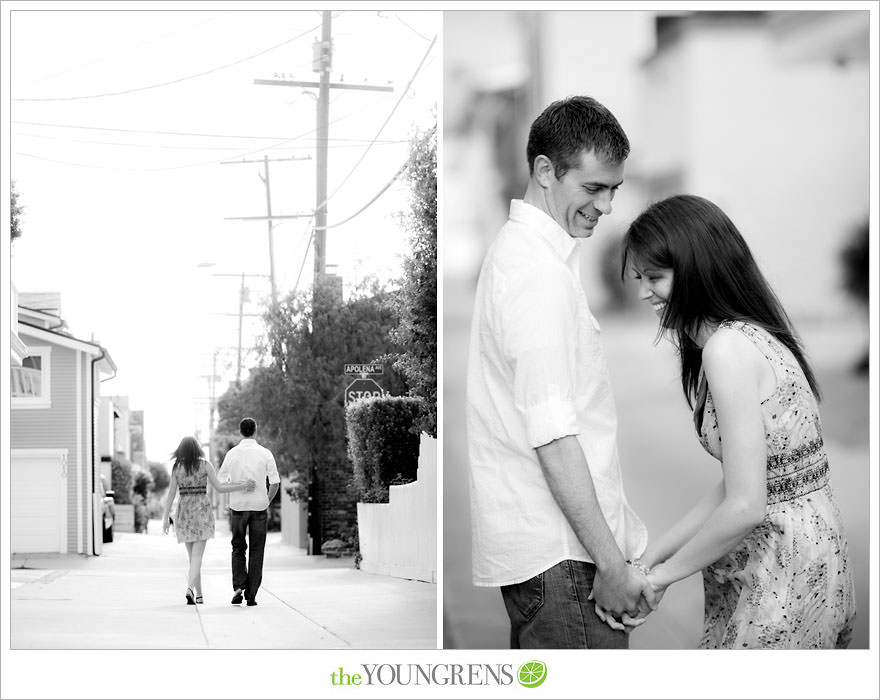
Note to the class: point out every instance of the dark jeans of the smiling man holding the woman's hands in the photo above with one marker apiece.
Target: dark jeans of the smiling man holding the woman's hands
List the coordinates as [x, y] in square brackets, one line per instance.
[551, 611]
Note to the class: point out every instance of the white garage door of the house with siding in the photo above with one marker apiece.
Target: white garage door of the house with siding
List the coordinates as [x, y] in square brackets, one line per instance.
[39, 508]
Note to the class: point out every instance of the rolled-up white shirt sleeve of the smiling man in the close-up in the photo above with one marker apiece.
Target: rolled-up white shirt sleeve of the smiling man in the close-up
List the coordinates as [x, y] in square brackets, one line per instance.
[539, 335]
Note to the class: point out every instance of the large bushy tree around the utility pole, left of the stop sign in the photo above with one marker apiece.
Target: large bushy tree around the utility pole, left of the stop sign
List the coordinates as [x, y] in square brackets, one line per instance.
[297, 396]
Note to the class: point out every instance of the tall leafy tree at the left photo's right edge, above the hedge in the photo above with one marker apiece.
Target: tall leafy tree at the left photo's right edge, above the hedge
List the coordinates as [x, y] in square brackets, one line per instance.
[416, 302]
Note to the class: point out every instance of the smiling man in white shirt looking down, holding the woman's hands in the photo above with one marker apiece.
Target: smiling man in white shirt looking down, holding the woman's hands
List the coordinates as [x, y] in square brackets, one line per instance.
[551, 524]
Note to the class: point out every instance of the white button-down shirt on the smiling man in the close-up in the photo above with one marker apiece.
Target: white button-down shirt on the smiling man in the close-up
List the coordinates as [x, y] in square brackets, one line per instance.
[536, 373]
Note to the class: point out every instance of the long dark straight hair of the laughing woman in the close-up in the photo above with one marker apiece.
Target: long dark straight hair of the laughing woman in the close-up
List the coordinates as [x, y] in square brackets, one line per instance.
[715, 278]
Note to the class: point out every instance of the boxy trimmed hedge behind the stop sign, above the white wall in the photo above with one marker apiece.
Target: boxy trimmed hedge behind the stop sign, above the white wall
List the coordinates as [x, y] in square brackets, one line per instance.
[383, 443]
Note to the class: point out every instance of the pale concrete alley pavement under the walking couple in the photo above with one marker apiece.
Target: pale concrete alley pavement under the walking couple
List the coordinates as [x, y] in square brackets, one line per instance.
[132, 597]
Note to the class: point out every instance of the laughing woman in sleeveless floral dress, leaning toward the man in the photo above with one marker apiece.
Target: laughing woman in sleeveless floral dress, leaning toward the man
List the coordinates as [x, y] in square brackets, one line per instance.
[768, 538]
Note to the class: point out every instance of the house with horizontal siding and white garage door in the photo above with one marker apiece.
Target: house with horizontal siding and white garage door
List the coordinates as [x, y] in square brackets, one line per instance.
[54, 404]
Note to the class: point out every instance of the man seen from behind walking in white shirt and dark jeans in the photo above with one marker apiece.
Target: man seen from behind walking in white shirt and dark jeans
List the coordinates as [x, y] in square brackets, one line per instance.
[248, 512]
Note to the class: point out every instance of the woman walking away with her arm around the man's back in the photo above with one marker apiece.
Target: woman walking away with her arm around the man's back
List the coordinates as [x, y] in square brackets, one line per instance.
[194, 518]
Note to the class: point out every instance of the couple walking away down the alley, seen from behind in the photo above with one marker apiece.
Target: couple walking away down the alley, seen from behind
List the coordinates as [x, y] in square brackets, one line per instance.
[244, 474]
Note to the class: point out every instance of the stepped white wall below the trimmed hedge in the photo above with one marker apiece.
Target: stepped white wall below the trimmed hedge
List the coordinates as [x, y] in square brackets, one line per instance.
[399, 538]
